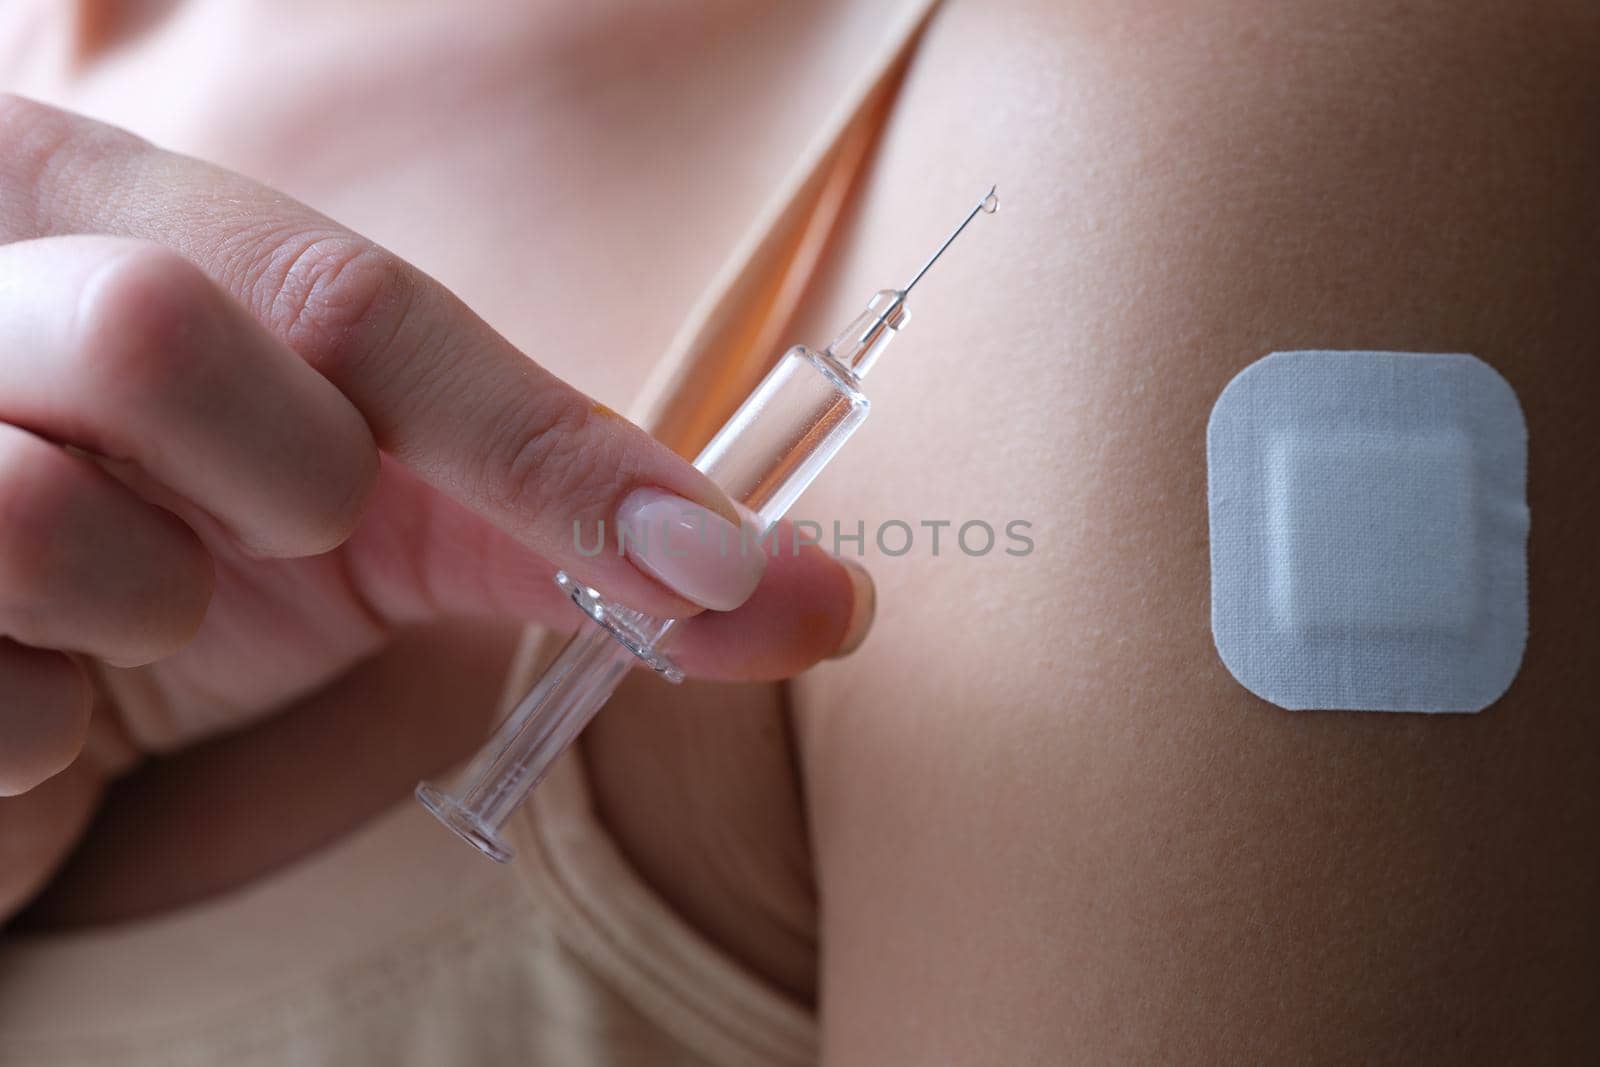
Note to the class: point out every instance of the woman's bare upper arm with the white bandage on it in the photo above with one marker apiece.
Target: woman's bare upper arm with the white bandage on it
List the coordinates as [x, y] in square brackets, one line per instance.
[1049, 825]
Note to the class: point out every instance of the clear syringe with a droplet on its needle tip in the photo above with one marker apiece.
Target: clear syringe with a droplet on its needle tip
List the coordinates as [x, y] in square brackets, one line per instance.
[764, 458]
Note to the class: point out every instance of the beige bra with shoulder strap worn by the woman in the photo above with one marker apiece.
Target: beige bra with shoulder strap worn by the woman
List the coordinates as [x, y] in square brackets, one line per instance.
[398, 945]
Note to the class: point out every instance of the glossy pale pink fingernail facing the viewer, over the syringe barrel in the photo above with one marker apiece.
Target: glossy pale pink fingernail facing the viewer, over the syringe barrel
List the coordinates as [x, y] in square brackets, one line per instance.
[690, 549]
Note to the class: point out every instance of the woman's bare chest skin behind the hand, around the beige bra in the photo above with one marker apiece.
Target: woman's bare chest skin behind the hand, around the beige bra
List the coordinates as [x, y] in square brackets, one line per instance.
[577, 175]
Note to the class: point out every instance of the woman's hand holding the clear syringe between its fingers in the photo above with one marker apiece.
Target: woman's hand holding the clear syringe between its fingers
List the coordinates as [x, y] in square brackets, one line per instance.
[239, 446]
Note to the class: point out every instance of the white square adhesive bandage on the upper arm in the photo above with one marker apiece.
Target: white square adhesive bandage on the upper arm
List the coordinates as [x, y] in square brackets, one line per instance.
[1370, 532]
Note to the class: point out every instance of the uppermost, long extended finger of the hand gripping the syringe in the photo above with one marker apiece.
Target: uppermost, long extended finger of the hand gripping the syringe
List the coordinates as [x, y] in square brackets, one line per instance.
[442, 393]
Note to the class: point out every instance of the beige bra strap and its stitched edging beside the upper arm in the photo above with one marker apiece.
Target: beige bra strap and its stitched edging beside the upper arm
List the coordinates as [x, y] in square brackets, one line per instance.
[602, 909]
